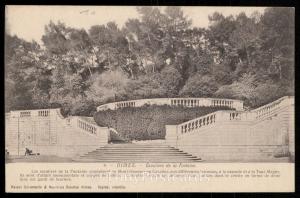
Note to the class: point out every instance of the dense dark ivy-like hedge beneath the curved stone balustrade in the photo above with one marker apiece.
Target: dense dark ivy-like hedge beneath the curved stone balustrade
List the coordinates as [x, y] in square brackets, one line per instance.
[148, 122]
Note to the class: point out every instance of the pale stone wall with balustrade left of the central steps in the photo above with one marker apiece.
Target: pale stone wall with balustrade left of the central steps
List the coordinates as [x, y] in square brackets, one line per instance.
[47, 132]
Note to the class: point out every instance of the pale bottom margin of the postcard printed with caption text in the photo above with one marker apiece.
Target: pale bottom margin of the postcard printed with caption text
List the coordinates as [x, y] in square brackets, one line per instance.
[106, 177]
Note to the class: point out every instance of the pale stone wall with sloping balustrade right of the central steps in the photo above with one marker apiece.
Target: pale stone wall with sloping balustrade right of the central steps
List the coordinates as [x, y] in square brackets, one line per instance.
[235, 135]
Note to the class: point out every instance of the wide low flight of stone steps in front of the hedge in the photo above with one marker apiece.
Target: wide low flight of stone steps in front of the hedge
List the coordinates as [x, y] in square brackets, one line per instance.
[143, 153]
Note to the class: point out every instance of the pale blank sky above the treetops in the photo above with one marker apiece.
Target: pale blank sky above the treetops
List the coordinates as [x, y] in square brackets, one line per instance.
[28, 22]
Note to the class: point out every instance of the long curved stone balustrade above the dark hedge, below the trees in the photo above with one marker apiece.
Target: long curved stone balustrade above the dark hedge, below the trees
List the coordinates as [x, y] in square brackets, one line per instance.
[186, 102]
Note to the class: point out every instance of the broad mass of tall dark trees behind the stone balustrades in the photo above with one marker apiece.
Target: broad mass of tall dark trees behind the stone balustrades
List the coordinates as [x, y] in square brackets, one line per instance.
[159, 55]
